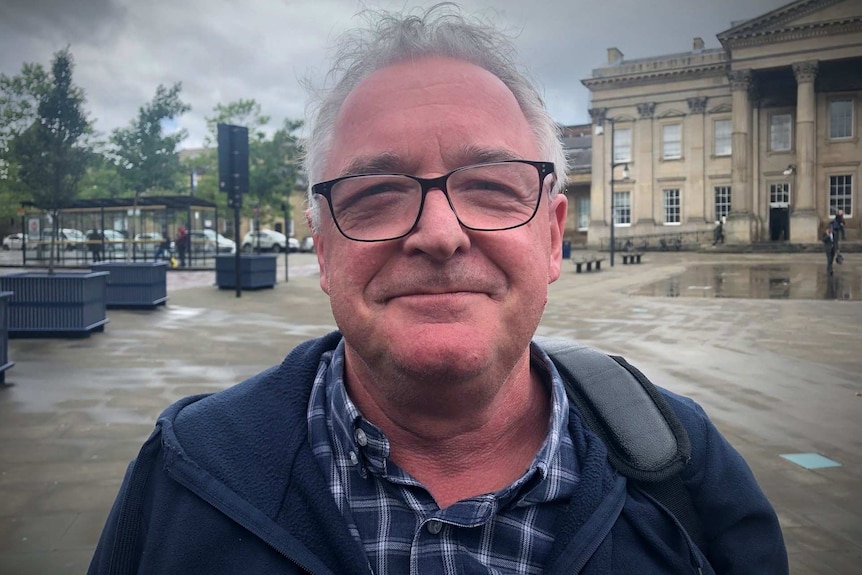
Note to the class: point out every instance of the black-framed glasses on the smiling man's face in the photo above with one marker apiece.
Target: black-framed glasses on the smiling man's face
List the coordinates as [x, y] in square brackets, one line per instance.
[485, 197]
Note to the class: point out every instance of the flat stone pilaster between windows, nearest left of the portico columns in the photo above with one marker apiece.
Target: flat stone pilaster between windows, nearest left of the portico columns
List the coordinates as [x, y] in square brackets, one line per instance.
[696, 196]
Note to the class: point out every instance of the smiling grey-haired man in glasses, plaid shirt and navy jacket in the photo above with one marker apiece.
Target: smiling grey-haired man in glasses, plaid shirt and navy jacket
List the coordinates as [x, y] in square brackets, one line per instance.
[428, 435]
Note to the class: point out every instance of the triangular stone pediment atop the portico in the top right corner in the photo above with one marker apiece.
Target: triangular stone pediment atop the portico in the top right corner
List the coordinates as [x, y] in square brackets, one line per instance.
[797, 20]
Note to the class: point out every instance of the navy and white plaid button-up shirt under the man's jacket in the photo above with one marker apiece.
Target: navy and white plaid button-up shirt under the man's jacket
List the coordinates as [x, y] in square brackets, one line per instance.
[397, 520]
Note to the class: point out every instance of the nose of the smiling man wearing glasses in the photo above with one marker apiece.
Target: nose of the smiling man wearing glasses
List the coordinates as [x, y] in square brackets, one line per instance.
[438, 233]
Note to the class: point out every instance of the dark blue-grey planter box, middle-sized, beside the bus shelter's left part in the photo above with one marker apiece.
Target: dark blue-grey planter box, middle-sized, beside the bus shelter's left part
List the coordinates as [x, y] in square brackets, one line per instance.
[135, 284]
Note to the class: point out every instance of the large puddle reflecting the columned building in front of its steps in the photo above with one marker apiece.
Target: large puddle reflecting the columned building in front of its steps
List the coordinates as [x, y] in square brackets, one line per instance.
[759, 281]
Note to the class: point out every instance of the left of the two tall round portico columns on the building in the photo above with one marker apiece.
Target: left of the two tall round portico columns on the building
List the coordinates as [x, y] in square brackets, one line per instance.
[740, 223]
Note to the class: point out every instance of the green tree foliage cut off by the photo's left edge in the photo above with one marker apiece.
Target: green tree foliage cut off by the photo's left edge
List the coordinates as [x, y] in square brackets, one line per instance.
[19, 101]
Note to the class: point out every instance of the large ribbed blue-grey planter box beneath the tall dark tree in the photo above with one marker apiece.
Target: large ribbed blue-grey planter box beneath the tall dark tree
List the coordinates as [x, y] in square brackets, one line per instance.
[61, 304]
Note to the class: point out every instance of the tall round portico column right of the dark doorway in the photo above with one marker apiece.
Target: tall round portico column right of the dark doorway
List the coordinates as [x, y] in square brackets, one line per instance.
[803, 219]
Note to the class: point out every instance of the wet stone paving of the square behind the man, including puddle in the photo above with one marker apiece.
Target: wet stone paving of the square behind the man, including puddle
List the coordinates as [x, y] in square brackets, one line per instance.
[770, 356]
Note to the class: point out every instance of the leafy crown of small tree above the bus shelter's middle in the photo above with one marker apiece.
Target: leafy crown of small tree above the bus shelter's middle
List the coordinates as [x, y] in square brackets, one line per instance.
[145, 157]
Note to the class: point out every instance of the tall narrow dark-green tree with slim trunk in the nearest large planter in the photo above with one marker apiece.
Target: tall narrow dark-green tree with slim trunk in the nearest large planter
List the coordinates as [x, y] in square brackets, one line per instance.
[52, 153]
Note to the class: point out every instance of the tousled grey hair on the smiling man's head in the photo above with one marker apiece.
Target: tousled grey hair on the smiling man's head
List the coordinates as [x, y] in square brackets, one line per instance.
[439, 31]
